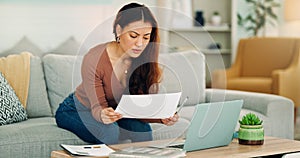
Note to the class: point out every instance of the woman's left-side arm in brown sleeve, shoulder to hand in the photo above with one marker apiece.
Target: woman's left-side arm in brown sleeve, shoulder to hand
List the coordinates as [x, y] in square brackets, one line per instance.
[92, 81]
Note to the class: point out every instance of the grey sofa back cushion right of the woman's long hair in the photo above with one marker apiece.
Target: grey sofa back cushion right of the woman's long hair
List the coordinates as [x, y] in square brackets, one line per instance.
[184, 71]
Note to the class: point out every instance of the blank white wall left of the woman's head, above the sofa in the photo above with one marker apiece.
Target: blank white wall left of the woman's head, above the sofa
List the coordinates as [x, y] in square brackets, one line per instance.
[48, 23]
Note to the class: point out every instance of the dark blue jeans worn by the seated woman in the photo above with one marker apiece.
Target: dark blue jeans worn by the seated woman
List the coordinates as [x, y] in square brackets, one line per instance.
[75, 117]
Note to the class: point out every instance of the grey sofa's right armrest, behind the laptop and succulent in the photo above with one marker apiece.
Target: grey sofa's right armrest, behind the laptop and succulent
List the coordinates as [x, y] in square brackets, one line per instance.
[278, 110]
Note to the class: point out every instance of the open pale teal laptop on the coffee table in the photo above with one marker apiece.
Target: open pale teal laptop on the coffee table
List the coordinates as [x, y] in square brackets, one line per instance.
[212, 125]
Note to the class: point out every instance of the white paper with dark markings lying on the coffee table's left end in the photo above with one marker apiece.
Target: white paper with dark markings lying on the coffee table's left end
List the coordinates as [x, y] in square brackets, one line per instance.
[100, 150]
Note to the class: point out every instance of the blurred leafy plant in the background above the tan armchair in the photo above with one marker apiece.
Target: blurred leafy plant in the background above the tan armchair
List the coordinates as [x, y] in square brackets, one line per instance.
[262, 11]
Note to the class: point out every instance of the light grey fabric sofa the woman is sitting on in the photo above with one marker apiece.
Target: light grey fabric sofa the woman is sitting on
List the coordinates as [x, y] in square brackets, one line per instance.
[53, 77]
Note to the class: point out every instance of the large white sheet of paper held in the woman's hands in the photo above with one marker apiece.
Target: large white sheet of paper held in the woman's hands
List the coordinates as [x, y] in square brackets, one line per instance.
[153, 106]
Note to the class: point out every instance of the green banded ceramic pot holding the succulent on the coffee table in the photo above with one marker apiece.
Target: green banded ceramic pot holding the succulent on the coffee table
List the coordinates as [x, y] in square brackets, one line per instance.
[251, 135]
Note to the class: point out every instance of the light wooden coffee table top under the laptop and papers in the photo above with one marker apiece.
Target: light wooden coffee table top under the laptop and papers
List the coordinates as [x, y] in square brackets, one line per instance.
[272, 146]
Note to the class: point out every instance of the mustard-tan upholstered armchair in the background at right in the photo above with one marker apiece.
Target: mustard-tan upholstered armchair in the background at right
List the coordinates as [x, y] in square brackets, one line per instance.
[266, 65]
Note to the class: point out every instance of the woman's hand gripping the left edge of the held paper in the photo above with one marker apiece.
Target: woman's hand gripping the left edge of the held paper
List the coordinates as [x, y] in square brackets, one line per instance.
[108, 115]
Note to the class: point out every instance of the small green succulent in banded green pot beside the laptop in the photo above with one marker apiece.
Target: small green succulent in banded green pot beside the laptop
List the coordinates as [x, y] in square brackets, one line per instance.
[251, 130]
